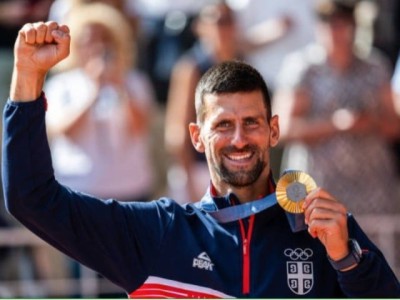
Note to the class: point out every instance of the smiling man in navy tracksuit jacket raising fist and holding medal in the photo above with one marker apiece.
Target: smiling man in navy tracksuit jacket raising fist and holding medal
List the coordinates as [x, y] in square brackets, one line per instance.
[161, 249]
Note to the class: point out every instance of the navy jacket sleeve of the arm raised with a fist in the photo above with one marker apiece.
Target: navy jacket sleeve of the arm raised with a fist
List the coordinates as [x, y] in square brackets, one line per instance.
[118, 240]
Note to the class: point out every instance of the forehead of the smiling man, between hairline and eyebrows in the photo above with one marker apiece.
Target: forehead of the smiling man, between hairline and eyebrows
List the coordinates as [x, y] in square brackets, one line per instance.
[243, 104]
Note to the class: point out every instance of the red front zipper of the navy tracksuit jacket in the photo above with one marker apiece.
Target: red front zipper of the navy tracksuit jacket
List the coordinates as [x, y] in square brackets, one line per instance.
[246, 238]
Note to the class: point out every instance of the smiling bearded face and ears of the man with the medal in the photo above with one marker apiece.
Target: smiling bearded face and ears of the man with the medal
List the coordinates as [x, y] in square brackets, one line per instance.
[236, 137]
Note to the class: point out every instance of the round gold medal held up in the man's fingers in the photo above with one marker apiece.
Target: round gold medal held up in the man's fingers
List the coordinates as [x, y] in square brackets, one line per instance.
[292, 189]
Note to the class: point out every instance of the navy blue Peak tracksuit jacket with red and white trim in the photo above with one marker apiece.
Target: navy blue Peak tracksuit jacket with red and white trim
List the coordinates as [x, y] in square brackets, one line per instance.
[162, 249]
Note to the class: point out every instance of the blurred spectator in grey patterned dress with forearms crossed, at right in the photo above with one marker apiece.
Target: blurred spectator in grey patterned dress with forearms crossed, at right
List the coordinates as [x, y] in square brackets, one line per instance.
[337, 107]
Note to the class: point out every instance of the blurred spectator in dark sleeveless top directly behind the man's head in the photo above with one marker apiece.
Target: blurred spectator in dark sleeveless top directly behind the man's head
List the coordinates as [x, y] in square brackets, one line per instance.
[218, 40]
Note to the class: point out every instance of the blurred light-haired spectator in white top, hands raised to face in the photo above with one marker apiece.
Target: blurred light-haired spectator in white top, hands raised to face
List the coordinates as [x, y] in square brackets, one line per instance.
[100, 109]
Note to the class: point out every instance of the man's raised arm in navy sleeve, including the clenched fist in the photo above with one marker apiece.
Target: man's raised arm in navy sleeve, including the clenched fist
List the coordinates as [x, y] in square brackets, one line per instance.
[115, 239]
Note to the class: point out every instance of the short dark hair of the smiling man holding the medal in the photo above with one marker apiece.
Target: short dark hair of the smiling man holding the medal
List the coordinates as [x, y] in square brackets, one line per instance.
[230, 77]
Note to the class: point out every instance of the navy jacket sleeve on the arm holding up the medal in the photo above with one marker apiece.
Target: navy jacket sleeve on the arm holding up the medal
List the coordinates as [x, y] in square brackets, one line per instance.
[373, 276]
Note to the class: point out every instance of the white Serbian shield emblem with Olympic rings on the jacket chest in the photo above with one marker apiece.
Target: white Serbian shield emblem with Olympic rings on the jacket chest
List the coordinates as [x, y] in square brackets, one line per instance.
[299, 270]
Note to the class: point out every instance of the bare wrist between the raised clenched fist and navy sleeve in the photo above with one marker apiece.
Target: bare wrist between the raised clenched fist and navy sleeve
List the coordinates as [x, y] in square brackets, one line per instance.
[26, 85]
